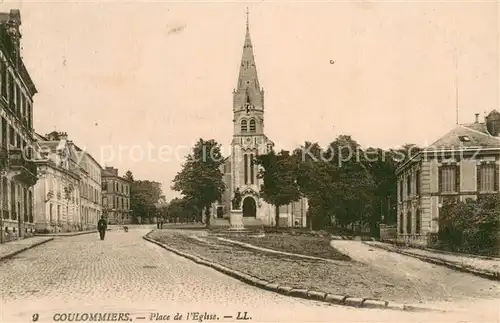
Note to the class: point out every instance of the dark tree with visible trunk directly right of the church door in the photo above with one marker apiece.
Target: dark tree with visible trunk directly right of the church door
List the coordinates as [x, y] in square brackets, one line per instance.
[279, 173]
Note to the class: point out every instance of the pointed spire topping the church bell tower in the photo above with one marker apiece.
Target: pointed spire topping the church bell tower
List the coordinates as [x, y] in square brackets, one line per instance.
[248, 71]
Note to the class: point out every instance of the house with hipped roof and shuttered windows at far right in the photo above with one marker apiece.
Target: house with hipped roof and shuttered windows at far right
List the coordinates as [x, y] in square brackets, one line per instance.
[462, 164]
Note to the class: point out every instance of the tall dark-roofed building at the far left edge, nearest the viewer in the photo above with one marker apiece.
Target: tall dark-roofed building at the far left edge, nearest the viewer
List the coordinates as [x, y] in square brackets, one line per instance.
[17, 171]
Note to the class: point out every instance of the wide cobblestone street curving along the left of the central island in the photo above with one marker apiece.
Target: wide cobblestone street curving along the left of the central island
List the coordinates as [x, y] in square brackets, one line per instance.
[126, 273]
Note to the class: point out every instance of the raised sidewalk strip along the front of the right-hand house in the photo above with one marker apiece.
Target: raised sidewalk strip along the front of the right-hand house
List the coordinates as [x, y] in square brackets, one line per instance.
[489, 268]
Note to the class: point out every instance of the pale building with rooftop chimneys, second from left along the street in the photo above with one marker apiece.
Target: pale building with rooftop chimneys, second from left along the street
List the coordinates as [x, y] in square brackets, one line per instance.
[57, 192]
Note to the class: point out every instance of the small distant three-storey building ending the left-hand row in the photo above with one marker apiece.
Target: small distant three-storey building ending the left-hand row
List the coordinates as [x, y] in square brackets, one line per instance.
[115, 197]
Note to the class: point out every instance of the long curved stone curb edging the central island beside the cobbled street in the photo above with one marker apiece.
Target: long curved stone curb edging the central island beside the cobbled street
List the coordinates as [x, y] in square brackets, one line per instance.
[294, 292]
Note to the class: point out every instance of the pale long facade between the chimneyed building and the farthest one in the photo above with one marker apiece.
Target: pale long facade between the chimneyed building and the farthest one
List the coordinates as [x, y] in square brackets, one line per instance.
[90, 188]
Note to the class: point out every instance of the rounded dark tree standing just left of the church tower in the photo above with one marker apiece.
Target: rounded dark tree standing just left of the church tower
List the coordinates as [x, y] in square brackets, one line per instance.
[201, 180]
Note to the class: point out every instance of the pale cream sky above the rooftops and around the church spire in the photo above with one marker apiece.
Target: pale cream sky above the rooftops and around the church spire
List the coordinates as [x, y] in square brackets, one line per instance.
[123, 78]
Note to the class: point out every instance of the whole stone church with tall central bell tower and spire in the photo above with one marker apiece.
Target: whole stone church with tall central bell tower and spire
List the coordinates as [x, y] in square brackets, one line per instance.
[249, 140]
